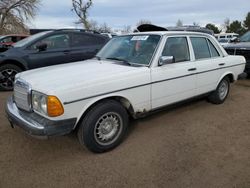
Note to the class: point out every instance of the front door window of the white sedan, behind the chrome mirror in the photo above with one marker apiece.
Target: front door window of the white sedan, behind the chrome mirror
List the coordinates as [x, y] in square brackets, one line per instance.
[178, 48]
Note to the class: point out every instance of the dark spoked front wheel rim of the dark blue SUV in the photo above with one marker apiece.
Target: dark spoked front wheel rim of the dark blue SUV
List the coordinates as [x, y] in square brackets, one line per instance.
[7, 78]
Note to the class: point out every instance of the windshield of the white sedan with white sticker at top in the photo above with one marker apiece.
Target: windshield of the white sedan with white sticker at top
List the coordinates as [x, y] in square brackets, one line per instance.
[131, 49]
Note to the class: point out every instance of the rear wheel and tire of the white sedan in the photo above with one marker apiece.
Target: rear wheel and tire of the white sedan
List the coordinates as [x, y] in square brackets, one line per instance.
[220, 94]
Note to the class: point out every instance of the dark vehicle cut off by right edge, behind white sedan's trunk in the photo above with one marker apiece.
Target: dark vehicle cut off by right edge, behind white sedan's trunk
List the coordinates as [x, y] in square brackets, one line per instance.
[241, 46]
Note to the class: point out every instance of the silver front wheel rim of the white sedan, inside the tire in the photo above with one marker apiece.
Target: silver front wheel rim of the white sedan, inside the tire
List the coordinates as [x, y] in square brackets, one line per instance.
[108, 128]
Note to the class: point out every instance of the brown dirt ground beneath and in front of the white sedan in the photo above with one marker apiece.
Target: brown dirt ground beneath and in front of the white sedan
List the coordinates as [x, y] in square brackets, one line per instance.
[195, 145]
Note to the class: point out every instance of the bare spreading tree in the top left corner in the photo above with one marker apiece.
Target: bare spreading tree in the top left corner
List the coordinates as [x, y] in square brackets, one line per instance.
[14, 14]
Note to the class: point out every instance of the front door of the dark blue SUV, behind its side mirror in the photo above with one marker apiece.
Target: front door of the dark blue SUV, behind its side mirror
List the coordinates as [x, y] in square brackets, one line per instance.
[57, 51]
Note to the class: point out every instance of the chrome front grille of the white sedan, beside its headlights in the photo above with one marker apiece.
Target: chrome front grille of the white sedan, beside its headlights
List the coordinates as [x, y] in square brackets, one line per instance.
[22, 95]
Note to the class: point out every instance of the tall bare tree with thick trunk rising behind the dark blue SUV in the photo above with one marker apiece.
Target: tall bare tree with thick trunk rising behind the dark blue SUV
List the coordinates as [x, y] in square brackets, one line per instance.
[81, 8]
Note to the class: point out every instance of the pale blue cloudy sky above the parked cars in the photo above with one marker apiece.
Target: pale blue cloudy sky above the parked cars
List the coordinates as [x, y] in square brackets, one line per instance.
[54, 14]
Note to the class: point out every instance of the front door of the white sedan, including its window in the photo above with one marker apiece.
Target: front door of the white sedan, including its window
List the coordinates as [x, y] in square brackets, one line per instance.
[176, 81]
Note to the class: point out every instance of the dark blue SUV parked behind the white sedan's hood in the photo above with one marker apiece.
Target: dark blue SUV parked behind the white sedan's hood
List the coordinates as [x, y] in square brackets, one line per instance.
[48, 48]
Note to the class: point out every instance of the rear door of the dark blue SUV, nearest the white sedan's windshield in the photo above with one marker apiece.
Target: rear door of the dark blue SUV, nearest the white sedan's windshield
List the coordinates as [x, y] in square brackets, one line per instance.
[85, 46]
